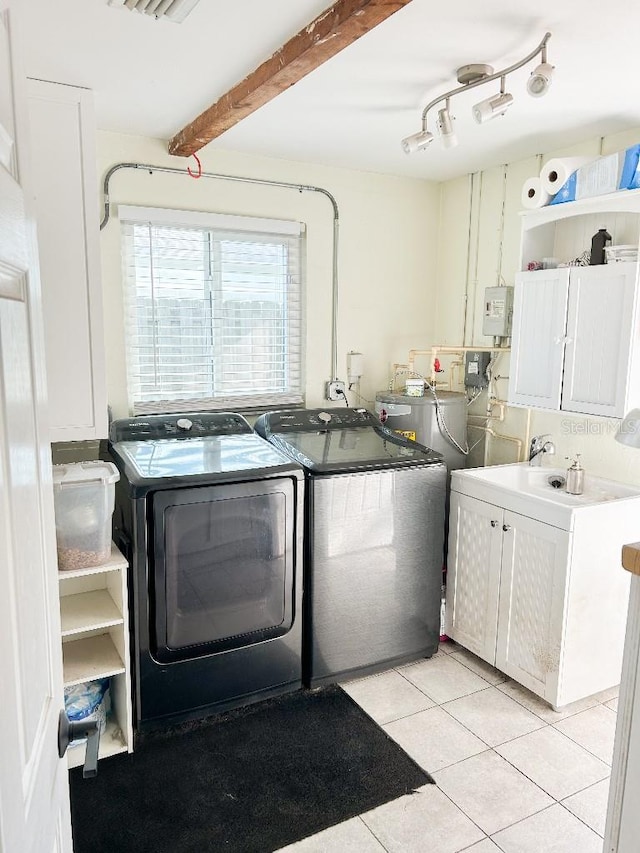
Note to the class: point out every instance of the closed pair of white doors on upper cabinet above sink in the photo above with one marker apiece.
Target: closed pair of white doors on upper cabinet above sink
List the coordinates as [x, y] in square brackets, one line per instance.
[575, 339]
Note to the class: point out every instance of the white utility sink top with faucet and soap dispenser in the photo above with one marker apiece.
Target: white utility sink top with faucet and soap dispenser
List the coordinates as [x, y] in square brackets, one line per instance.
[534, 495]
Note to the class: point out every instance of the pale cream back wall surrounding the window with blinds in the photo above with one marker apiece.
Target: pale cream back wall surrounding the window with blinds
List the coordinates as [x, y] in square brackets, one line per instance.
[386, 261]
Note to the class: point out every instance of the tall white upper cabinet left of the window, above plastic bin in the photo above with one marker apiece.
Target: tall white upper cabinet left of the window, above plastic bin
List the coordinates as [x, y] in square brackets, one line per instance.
[64, 178]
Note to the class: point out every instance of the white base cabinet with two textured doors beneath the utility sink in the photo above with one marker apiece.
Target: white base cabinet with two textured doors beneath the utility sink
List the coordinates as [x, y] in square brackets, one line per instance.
[545, 605]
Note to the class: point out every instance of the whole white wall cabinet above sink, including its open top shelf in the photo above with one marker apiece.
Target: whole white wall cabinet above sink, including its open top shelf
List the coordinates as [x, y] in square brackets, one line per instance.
[576, 330]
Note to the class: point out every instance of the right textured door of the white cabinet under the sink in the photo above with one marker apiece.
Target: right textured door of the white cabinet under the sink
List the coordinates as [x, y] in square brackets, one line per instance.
[532, 599]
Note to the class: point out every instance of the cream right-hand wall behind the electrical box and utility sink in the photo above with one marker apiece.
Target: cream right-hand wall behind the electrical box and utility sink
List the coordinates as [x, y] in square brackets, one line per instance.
[479, 247]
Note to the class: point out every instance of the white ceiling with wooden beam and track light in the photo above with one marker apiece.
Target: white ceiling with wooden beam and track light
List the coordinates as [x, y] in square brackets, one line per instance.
[152, 77]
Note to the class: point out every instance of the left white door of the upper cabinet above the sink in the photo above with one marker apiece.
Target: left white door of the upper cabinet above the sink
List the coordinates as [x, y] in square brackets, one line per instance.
[538, 338]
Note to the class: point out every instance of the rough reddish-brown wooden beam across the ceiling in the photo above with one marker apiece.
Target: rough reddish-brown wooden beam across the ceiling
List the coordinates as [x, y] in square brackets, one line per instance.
[336, 28]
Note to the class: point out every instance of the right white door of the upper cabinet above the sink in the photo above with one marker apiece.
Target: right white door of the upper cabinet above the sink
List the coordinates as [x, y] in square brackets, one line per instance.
[600, 335]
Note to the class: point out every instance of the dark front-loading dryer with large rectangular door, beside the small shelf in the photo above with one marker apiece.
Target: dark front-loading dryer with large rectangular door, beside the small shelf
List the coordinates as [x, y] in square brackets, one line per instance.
[211, 518]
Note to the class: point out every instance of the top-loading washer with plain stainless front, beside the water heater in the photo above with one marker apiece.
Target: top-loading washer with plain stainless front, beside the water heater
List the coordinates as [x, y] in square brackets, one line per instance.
[375, 509]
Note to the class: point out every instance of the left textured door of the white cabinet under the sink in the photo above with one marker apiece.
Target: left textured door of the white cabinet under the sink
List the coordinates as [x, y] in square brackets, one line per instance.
[473, 574]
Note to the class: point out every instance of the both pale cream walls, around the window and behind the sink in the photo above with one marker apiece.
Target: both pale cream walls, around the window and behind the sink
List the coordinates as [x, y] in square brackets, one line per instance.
[414, 259]
